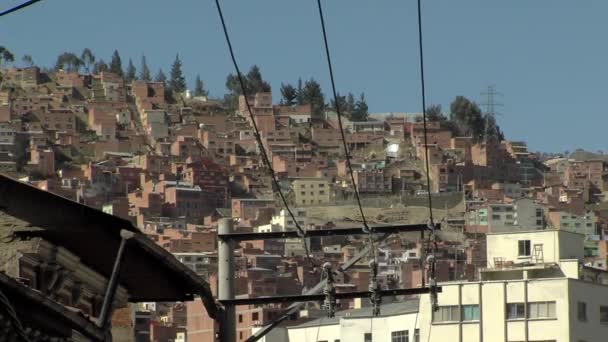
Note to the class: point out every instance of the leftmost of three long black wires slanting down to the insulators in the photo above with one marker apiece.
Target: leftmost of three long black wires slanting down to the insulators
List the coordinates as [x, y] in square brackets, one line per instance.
[264, 155]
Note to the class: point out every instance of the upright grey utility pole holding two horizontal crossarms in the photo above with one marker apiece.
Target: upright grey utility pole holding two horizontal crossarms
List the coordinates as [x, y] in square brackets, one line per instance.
[225, 286]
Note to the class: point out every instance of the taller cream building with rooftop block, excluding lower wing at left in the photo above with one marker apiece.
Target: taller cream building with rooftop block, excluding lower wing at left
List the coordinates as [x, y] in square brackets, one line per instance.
[534, 289]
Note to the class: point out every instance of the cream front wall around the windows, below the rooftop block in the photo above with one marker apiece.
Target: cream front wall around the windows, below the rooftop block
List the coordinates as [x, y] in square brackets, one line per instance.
[493, 298]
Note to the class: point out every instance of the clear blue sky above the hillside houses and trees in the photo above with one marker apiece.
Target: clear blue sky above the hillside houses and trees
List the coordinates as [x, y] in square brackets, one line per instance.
[548, 57]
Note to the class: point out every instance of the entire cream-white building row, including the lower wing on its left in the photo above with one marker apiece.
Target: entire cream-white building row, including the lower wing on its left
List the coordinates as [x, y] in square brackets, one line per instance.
[534, 289]
